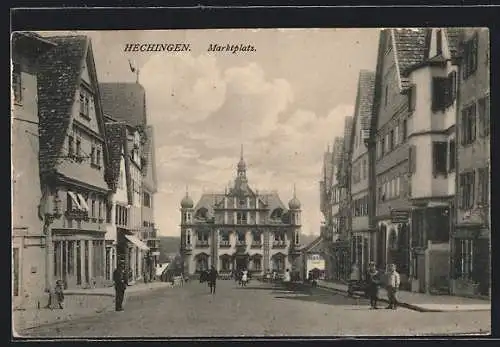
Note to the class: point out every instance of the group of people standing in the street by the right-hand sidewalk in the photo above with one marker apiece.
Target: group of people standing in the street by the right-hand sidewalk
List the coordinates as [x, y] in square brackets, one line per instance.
[375, 279]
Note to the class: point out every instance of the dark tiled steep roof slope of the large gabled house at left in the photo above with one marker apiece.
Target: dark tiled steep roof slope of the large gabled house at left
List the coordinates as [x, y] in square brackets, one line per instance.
[58, 79]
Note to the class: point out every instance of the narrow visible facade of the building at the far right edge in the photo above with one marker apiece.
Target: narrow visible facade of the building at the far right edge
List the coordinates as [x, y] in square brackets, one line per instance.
[471, 240]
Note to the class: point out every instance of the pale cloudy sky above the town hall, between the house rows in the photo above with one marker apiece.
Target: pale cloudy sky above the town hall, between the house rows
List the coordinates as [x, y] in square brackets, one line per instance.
[285, 103]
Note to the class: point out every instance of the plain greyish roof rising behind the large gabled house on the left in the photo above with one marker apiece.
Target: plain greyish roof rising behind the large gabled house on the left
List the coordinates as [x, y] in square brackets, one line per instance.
[124, 101]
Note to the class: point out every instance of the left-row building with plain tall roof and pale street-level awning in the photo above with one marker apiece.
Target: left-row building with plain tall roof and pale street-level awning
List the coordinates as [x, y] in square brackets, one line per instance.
[126, 102]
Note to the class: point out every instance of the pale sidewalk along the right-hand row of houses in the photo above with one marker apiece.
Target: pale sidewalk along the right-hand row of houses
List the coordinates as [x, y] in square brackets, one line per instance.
[423, 302]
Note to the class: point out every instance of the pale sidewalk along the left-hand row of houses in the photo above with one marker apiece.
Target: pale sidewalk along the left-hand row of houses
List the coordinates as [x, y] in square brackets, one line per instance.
[77, 304]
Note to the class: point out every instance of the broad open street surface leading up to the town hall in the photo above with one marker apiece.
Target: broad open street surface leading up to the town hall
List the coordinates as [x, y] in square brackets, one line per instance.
[259, 310]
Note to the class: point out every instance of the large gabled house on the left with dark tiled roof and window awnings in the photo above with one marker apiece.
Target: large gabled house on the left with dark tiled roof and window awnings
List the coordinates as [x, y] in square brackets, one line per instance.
[73, 162]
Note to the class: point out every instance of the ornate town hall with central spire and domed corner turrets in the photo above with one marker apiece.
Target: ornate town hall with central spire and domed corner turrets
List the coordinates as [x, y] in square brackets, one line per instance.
[240, 228]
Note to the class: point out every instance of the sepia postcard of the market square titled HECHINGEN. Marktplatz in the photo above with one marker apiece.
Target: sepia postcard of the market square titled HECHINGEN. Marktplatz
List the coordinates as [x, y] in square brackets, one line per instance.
[251, 183]
